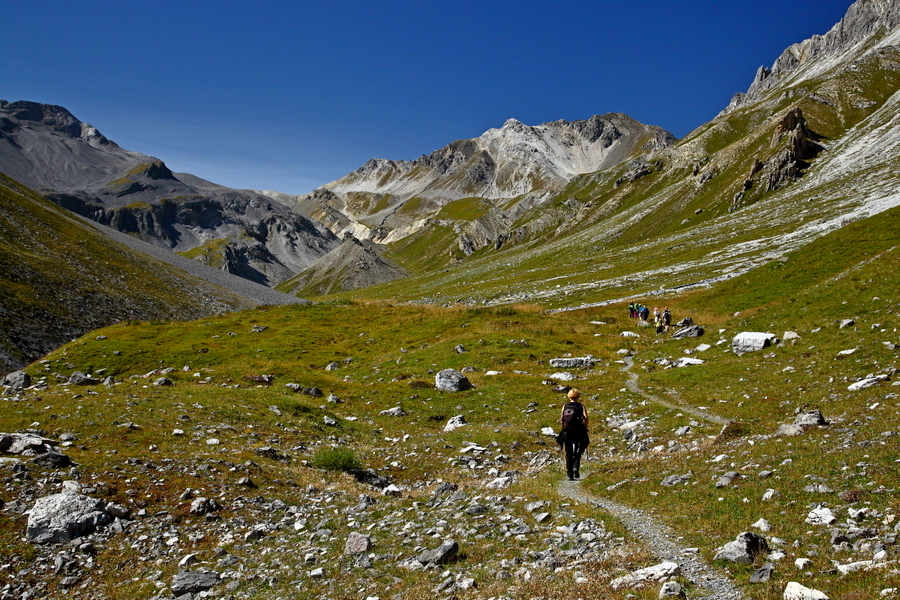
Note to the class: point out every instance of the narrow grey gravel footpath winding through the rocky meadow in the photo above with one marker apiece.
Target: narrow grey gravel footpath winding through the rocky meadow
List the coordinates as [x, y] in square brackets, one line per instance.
[659, 539]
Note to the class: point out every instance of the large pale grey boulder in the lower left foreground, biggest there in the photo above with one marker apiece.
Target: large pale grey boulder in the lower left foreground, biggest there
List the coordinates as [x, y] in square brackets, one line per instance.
[63, 517]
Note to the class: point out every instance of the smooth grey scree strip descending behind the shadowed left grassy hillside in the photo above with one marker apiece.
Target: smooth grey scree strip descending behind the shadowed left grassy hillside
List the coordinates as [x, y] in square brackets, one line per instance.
[238, 285]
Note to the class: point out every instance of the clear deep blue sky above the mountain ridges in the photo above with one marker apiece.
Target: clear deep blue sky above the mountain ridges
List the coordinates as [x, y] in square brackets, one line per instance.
[291, 95]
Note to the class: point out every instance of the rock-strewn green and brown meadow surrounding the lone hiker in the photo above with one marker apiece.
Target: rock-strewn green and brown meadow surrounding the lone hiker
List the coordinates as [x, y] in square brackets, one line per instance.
[649, 422]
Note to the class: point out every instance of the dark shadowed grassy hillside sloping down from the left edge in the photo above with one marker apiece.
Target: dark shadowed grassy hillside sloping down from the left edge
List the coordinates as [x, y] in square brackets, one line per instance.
[60, 278]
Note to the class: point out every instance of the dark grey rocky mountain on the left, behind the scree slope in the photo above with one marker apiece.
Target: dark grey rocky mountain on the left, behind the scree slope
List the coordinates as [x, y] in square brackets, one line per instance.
[46, 148]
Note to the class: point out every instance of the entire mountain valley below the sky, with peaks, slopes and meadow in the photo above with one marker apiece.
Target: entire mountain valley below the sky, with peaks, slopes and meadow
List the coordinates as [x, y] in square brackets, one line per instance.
[189, 426]
